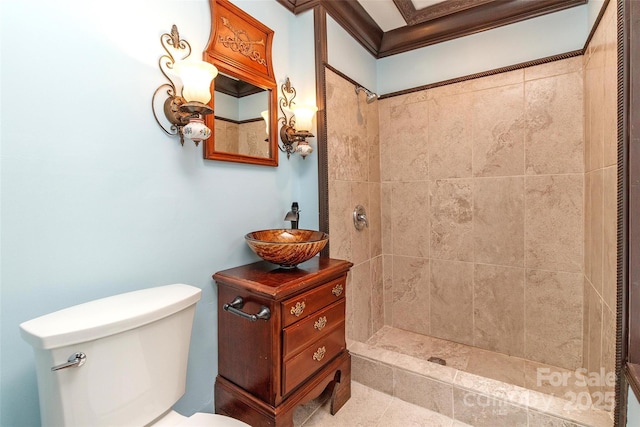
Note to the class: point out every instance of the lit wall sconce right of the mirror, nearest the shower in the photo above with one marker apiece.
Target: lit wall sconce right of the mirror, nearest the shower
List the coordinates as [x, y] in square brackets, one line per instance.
[295, 129]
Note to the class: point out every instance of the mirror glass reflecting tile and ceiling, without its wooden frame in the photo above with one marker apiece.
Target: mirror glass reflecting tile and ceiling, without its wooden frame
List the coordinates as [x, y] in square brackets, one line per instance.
[239, 125]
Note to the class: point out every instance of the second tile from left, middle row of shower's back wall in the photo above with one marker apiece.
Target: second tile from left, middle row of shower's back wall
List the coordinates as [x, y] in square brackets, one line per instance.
[451, 204]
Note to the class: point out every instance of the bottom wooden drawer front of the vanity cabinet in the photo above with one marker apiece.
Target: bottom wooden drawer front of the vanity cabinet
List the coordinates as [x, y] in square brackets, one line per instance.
[312, 358]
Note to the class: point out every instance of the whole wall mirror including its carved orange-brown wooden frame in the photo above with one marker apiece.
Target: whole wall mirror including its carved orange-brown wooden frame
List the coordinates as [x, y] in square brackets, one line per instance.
[244, 122]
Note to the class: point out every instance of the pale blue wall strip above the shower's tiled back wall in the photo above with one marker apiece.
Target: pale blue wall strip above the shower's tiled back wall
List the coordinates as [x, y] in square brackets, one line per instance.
[512, 44]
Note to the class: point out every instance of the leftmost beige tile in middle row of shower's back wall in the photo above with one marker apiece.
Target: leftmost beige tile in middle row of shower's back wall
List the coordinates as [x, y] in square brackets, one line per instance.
[410, 219]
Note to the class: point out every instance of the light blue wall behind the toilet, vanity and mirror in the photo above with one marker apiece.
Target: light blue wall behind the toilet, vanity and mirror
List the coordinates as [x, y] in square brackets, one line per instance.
[96, 199]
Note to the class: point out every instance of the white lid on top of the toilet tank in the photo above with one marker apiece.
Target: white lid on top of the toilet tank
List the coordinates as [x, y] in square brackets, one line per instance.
[107, 316]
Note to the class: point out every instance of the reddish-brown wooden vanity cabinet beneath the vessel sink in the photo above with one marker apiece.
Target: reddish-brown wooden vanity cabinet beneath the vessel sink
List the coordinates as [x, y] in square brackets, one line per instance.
[266, 368]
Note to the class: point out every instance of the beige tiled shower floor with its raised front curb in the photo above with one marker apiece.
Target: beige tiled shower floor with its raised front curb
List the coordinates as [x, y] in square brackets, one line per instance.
[477, 387]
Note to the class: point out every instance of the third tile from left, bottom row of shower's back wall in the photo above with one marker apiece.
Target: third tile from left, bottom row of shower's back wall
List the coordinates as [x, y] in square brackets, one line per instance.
[498, 304]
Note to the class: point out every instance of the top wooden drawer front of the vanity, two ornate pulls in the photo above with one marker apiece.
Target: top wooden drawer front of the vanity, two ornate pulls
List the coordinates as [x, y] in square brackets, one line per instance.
[301, 306]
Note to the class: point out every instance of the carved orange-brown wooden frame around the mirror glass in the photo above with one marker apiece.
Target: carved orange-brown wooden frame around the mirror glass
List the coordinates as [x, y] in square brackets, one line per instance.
[240, 47]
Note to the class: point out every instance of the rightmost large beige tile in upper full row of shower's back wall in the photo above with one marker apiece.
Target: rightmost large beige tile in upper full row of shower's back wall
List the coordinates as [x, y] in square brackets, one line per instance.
[554, 108]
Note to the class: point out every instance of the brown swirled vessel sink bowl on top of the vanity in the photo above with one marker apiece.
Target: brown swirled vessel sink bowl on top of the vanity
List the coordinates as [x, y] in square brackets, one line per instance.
[286, 247]
